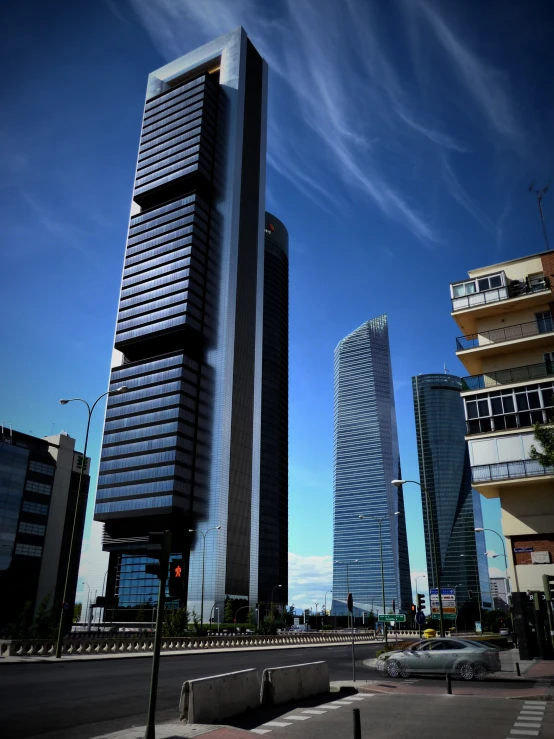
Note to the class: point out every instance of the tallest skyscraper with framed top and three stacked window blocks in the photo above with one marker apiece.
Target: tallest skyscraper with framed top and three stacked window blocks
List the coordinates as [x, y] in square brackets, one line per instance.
[181, 449]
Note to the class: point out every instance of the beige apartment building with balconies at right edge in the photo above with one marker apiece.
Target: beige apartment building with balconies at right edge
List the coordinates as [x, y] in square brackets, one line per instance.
[505, 314]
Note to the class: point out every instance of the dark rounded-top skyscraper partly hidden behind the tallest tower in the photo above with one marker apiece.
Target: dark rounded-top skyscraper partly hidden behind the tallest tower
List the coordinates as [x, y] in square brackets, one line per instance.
[274, 483]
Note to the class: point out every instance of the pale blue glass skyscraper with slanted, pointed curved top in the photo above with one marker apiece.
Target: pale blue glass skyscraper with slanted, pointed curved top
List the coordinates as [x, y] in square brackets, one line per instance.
[366, 460]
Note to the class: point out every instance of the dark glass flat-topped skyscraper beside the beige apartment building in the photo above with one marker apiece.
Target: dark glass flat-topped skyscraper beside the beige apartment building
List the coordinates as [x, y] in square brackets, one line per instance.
[445, 471]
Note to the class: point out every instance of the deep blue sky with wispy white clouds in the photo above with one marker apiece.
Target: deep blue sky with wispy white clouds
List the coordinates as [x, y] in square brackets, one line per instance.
[403, 136]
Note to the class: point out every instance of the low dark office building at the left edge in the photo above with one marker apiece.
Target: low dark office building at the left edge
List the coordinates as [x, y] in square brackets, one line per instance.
[39, 481]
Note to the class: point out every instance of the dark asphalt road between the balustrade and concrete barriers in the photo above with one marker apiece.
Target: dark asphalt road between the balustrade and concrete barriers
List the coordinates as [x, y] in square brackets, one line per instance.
[85, 699]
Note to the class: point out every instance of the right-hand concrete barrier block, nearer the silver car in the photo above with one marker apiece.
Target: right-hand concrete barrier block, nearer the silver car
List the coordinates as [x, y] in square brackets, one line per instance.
[283, 684]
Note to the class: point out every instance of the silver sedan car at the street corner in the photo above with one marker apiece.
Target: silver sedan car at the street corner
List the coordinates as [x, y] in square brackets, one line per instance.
[464, 658]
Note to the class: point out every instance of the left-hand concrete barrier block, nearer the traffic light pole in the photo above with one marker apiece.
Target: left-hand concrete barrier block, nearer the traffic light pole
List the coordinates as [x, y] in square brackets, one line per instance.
[210, 699]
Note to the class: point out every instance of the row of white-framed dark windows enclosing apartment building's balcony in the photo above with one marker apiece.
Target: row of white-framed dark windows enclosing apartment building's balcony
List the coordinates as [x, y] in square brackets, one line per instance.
[509, 401]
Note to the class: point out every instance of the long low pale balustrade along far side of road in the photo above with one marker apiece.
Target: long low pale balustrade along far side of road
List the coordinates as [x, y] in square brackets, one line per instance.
[136, 645]
